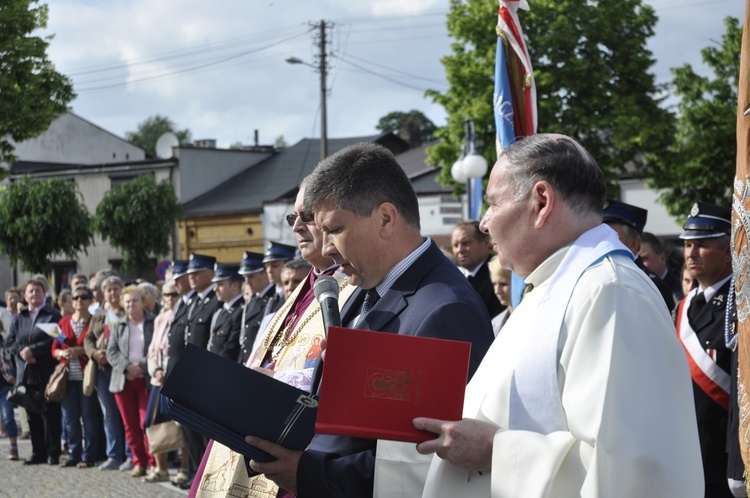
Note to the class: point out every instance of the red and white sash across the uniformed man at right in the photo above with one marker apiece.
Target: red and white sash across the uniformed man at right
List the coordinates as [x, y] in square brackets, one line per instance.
[709, 376]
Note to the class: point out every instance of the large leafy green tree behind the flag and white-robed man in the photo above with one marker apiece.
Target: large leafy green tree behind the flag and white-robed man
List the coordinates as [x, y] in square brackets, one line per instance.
[591, 69]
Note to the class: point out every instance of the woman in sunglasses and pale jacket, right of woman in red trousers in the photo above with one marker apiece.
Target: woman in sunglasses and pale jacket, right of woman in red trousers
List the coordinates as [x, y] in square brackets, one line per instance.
[157, 352]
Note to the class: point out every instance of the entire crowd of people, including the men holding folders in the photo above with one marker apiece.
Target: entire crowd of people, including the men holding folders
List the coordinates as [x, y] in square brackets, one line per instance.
[613, 375]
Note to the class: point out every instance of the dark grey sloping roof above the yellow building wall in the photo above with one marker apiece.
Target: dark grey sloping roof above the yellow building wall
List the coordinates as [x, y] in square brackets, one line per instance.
[275, 178]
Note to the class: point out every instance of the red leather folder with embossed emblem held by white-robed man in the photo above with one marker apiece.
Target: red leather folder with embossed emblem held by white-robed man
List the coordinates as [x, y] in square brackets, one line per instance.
[375, 383]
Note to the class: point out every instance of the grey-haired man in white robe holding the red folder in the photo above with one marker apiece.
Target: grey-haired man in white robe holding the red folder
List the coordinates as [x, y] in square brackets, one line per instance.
[580, 396]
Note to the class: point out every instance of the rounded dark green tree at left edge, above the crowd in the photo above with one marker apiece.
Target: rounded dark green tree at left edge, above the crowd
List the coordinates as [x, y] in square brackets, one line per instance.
[39, 219]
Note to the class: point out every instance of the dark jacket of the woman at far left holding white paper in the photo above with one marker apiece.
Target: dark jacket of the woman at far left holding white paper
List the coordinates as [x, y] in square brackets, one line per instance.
[23, 334]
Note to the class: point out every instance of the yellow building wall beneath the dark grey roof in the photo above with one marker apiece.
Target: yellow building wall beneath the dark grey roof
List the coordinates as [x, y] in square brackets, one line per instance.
[225, 238]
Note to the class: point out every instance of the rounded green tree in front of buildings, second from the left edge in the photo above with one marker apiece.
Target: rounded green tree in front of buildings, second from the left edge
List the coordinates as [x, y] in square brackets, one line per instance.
[138, 217]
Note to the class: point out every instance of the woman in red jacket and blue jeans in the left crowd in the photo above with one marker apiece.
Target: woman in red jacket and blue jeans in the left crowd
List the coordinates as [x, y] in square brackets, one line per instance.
[75, 405]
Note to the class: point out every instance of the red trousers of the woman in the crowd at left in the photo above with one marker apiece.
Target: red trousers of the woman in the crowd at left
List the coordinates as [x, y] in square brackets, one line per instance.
[132, 403]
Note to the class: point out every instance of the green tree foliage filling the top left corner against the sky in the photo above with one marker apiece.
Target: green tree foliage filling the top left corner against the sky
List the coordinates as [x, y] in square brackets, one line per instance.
[32, 93]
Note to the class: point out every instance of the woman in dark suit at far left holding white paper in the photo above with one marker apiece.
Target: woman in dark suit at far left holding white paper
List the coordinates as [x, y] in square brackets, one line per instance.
[32, 351]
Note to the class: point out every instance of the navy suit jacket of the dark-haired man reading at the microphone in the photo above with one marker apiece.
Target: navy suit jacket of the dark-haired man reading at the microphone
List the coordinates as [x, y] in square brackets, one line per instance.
[432, 299]
